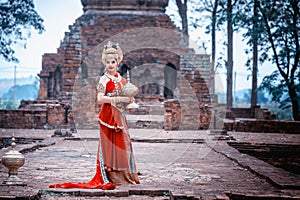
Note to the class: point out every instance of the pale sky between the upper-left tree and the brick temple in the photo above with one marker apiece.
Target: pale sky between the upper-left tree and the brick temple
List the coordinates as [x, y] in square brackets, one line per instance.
[57, 15]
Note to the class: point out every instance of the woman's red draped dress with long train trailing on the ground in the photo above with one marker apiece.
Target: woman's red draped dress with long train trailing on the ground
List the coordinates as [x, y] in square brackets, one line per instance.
[114, 150]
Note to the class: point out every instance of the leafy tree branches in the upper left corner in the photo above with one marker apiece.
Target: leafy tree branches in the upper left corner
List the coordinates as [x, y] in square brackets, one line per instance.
[17, 18]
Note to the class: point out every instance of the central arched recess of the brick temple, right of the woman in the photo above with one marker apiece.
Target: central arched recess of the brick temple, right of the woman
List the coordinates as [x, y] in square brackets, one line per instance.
[154, 71]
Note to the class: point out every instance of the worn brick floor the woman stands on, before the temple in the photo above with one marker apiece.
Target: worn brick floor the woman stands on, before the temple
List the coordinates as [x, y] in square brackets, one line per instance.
[193, 165]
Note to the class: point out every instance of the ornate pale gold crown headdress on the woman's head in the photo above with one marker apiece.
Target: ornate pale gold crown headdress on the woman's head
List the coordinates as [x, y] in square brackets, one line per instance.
[112, 50]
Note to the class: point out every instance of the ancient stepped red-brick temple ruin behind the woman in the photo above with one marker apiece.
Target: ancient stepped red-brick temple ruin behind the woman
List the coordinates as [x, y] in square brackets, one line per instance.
[157, 58]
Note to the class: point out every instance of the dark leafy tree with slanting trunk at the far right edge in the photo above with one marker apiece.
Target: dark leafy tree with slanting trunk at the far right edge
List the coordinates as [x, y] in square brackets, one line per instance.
[280, 35]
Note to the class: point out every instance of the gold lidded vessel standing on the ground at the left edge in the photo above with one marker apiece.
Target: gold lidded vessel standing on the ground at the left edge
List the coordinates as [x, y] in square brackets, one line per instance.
[13, 160]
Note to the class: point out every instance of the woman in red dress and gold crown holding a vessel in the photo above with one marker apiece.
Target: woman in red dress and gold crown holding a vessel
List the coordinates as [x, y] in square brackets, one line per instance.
[115, 160]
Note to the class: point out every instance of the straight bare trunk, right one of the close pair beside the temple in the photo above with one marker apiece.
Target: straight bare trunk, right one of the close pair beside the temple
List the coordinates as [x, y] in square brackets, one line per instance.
[229, 55]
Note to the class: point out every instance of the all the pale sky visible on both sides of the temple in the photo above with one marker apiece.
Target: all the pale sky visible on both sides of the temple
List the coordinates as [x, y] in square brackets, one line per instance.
[58, 15]
